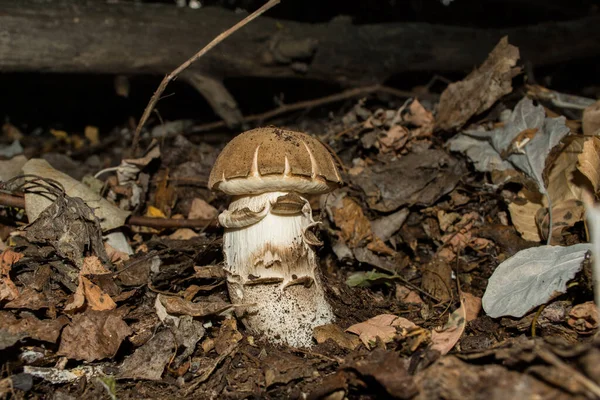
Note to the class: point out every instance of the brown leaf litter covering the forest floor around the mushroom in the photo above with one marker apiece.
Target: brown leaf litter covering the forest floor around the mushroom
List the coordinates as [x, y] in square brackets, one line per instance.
[463, 190]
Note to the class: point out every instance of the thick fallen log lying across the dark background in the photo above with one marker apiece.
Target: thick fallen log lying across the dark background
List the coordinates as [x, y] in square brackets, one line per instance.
[126, 38]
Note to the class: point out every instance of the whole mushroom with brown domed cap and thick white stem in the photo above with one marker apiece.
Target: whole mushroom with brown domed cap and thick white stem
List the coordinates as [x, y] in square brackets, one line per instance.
[268, 243]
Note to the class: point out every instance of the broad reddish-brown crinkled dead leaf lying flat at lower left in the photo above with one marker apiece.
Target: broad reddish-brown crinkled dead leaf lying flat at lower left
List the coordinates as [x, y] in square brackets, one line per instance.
[93, 335]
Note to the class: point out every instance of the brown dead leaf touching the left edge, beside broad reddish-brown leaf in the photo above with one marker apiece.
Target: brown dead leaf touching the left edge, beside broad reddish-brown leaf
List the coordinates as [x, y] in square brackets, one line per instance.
[13, 329]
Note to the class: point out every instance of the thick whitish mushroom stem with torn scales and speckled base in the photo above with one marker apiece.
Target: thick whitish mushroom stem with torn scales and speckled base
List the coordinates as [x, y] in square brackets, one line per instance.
[270, 264]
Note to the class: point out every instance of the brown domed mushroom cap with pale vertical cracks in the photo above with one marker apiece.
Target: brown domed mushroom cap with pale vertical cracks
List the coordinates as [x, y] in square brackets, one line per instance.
[274, 160]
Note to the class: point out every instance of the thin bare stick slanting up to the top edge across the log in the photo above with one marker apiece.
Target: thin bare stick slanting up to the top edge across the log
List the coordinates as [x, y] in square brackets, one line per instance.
[168, 78]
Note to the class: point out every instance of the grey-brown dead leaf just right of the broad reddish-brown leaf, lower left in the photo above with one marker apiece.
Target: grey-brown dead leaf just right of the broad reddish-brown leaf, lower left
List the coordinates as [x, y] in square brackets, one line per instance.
[149, 361]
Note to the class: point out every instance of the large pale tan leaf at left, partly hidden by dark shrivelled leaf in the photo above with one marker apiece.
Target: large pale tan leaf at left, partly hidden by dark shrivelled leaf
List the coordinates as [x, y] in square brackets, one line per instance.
[110, 217]
